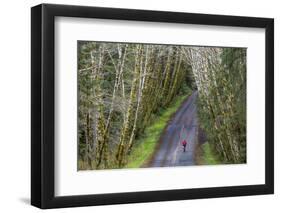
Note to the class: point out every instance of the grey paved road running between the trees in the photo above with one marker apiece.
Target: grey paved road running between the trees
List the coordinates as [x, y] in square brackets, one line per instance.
[182, 126]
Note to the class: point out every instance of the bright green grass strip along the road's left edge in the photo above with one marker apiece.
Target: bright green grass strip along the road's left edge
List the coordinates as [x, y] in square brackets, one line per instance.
[145, 146]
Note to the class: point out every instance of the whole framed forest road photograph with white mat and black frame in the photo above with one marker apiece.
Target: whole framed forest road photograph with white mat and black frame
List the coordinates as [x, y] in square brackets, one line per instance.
[139, 106]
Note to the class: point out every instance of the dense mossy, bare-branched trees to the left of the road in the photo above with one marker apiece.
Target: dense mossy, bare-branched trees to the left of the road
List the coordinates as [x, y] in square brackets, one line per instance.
[121, 88]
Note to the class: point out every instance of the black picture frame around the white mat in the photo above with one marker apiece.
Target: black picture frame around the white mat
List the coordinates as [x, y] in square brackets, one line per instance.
[43, 102]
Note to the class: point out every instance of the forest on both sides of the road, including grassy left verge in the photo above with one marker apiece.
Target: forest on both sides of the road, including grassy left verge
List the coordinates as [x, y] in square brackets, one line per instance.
[126, 88]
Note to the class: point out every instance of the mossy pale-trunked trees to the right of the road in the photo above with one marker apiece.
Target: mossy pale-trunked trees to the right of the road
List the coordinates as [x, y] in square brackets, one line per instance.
[220, 75]
